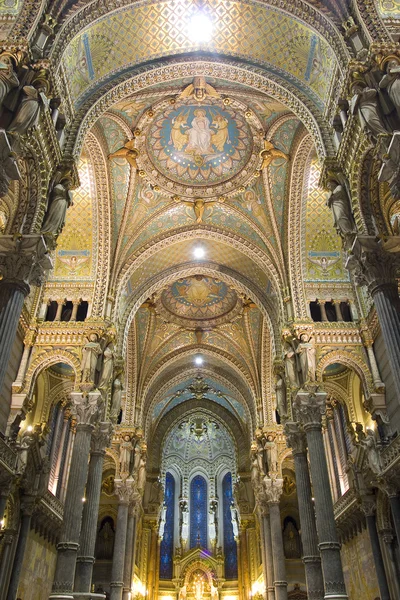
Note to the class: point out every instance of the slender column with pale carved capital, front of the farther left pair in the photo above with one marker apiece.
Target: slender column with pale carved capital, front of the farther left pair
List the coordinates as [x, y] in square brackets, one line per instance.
[124, 489]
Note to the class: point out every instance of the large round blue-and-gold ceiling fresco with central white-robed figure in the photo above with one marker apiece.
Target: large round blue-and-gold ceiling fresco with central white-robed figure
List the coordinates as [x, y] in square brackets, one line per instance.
[199, 144]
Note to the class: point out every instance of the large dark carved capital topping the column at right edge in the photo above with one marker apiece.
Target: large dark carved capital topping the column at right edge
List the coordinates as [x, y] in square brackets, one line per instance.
[371, 264]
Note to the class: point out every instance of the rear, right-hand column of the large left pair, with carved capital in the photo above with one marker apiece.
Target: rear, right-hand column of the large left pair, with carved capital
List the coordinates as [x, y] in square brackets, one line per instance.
[84, 567]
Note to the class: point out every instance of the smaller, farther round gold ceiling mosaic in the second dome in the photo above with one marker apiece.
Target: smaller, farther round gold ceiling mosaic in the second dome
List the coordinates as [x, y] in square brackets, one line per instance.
[199, 301]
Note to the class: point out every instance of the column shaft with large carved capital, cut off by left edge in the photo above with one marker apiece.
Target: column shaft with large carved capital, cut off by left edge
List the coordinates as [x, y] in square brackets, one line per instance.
[23, 261]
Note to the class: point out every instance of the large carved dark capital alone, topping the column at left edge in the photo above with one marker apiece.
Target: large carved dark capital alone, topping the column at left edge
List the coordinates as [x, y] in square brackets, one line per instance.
[24, 260]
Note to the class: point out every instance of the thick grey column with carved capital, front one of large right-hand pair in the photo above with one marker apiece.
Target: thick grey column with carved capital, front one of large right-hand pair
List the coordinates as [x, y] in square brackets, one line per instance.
[309, 407]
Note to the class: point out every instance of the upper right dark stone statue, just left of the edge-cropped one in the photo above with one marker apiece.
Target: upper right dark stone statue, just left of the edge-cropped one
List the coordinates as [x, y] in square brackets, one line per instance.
[365, 103]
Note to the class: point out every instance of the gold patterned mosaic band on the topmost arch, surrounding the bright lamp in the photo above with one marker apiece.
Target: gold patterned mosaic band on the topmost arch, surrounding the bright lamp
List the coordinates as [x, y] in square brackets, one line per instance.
[143, 32]
